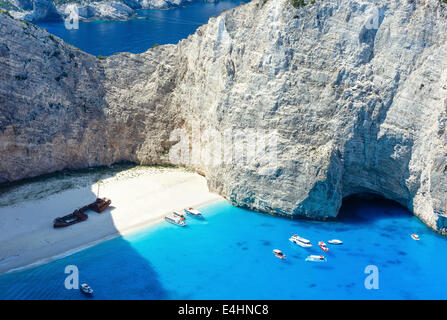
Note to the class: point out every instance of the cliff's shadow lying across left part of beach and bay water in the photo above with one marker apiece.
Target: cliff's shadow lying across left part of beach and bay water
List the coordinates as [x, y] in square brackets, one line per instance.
[105, 266]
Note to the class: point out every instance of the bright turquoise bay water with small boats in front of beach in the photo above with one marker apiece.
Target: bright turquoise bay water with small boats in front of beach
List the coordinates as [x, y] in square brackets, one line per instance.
[229, 256]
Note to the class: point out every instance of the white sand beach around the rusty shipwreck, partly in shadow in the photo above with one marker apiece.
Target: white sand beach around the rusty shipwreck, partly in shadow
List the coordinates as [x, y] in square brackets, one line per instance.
[140, 197]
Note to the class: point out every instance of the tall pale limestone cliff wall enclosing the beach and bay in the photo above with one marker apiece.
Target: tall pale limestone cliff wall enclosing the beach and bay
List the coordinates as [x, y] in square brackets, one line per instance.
[355, 91]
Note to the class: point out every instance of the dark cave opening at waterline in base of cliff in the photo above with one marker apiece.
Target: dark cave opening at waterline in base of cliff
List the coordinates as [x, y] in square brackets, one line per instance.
[368, 207]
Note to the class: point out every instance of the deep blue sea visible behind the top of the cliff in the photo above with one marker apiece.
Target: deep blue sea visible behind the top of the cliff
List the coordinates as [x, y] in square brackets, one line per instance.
[138, 35]
